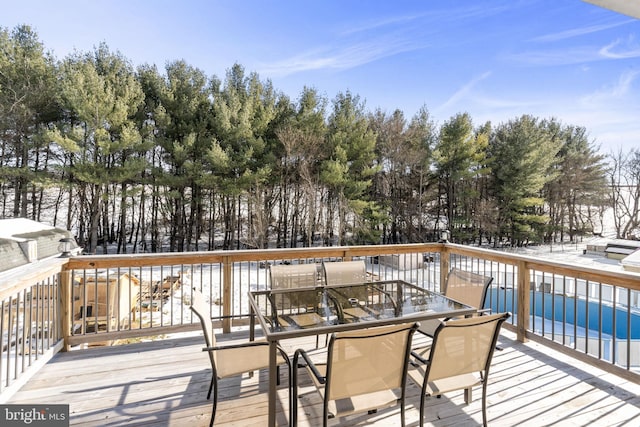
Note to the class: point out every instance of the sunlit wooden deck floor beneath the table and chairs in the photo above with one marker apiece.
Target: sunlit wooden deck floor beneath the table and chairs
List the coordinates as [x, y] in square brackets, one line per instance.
[164, 383]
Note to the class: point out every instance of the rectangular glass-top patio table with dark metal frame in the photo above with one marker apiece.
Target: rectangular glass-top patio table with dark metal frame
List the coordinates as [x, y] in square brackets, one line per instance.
[299, 312]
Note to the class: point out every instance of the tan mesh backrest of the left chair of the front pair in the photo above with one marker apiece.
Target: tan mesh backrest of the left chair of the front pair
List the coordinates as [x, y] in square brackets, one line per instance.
[368, 360]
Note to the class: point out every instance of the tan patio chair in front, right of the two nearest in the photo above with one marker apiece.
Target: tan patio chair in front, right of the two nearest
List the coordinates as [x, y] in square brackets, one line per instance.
[458, 358]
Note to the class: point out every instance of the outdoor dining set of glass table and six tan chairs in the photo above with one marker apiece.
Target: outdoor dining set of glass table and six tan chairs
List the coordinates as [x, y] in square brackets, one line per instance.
[368, 326]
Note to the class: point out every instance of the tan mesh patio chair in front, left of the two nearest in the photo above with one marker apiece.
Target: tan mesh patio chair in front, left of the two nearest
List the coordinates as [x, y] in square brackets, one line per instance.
[365, 370]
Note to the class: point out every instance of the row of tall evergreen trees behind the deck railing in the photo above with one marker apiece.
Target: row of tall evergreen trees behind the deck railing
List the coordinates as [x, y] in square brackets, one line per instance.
[175, 160]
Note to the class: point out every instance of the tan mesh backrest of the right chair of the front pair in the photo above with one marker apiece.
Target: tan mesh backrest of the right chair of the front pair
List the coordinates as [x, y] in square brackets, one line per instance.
[464, 346]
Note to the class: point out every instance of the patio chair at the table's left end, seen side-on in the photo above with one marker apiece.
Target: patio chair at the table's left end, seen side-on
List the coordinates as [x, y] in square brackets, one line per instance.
[231, 360]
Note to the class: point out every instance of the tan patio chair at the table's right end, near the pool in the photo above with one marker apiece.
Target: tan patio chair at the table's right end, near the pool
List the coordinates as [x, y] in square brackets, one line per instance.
[465, 287]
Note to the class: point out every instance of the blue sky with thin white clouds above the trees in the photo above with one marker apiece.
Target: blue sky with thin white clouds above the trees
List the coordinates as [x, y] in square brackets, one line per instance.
[495, 59]
